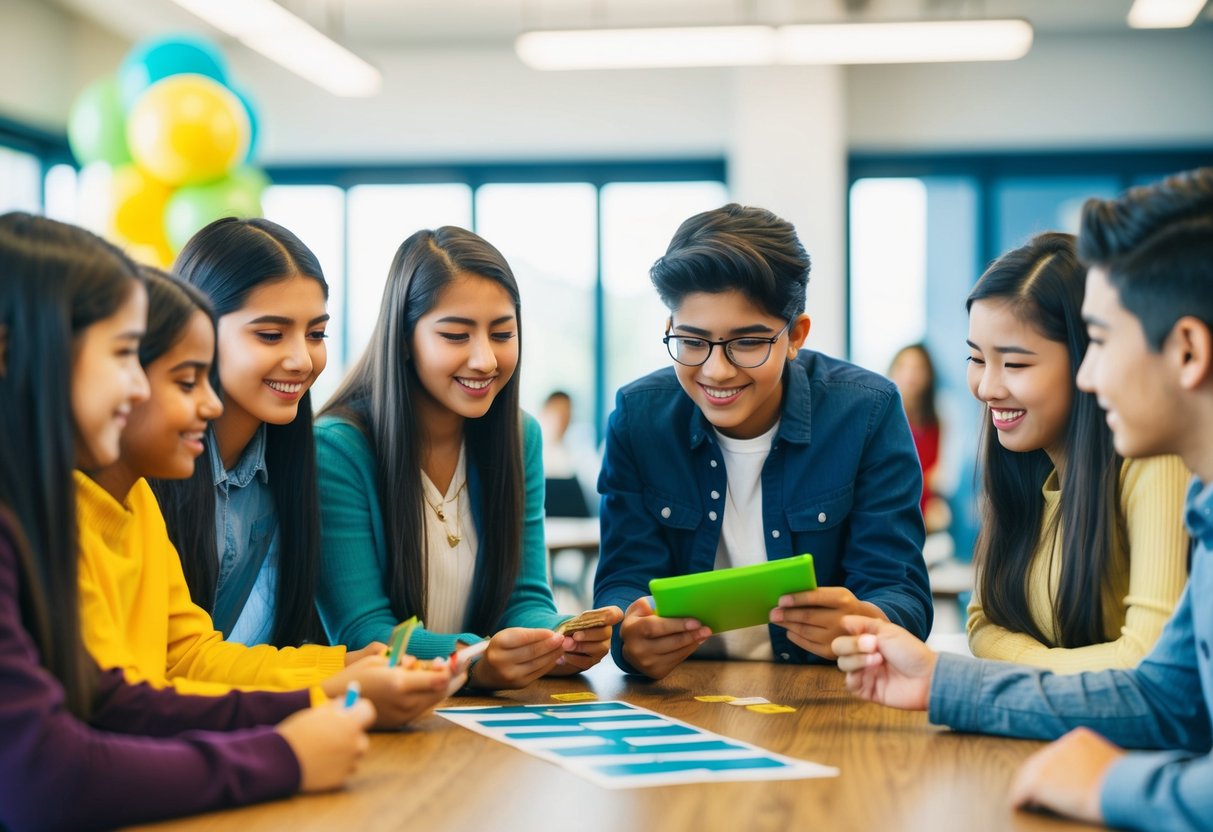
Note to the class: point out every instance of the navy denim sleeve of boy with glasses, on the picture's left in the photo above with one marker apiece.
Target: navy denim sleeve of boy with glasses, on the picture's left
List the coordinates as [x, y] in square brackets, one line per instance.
[633, 550]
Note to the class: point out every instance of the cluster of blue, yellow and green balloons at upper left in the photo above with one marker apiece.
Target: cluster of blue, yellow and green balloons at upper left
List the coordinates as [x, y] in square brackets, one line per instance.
[166, 147]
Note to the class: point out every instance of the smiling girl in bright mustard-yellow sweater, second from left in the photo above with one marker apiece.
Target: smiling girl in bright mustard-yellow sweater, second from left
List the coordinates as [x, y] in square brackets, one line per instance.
[136, 609]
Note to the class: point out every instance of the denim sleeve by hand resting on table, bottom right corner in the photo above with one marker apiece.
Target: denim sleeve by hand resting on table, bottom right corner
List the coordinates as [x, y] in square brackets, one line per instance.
[1159, 791]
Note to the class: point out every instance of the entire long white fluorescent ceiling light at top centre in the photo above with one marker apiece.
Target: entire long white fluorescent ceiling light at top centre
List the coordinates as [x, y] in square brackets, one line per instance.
[760, 45]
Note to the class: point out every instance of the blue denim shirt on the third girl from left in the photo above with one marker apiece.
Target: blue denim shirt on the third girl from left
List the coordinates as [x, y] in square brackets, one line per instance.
[247, 535]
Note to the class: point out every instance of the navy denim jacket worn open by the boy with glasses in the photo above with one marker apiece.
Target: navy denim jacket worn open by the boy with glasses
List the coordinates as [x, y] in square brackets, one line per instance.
[842, 483]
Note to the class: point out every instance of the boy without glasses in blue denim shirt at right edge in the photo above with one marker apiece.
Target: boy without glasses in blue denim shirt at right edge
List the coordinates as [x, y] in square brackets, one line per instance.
[1149, 310]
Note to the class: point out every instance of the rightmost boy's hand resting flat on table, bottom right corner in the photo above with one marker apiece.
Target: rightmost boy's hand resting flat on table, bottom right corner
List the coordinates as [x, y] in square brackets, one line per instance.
[1067, 777]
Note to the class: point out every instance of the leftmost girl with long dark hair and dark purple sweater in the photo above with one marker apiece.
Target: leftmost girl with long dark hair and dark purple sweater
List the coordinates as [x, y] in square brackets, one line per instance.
[82, 748]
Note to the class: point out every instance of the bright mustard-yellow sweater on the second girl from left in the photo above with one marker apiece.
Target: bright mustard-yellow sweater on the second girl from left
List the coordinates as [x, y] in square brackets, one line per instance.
[136, 613]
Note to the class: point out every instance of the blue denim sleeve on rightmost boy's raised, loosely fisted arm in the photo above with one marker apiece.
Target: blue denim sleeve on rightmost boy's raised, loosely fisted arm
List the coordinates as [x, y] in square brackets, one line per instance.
[1159, 705]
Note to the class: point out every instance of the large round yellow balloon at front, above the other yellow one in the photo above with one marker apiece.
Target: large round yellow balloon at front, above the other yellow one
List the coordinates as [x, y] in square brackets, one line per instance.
[187, 130]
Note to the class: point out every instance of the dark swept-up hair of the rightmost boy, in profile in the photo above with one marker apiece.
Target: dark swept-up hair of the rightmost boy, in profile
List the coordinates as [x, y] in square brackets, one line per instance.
[1157, 244]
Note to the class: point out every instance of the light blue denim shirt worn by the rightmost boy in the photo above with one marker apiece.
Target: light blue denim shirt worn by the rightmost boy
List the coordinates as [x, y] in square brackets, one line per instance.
[1163, 706]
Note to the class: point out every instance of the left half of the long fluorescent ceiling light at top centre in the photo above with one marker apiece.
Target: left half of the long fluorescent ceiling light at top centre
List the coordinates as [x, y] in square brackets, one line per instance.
[631, 49]
